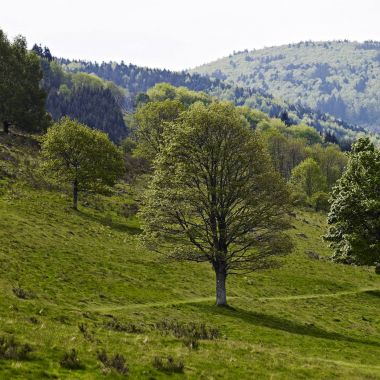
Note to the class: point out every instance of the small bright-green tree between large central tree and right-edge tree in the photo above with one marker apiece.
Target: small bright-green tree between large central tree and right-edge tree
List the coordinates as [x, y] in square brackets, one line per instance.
[308, 177]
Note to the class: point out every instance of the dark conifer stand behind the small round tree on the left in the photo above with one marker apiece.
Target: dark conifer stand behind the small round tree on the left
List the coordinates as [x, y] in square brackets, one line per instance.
[84, 97]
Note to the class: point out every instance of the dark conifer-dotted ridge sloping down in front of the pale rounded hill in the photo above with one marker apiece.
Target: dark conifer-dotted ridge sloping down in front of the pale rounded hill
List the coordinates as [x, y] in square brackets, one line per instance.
[135, 79]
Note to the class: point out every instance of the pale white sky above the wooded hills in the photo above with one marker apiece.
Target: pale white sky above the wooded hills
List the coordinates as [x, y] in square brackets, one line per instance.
[182, 34]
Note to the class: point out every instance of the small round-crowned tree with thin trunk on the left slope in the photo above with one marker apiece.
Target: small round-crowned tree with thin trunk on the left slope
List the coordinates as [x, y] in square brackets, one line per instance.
[85, 158]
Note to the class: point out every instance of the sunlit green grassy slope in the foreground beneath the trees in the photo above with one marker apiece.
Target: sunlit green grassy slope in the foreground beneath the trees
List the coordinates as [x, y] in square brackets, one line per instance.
[80, 280]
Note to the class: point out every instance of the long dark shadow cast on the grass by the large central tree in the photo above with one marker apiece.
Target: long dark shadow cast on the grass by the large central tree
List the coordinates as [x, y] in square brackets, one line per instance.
[281, 324]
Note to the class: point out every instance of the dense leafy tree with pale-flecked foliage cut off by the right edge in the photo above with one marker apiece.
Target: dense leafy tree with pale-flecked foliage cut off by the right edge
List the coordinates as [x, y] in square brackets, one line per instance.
[354, 218]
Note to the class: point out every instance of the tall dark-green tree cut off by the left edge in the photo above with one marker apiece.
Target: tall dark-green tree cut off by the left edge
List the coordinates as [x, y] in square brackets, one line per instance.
[22, 100]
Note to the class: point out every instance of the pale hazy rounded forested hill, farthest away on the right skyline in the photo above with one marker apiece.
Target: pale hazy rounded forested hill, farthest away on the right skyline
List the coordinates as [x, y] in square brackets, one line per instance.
[337, 77]
